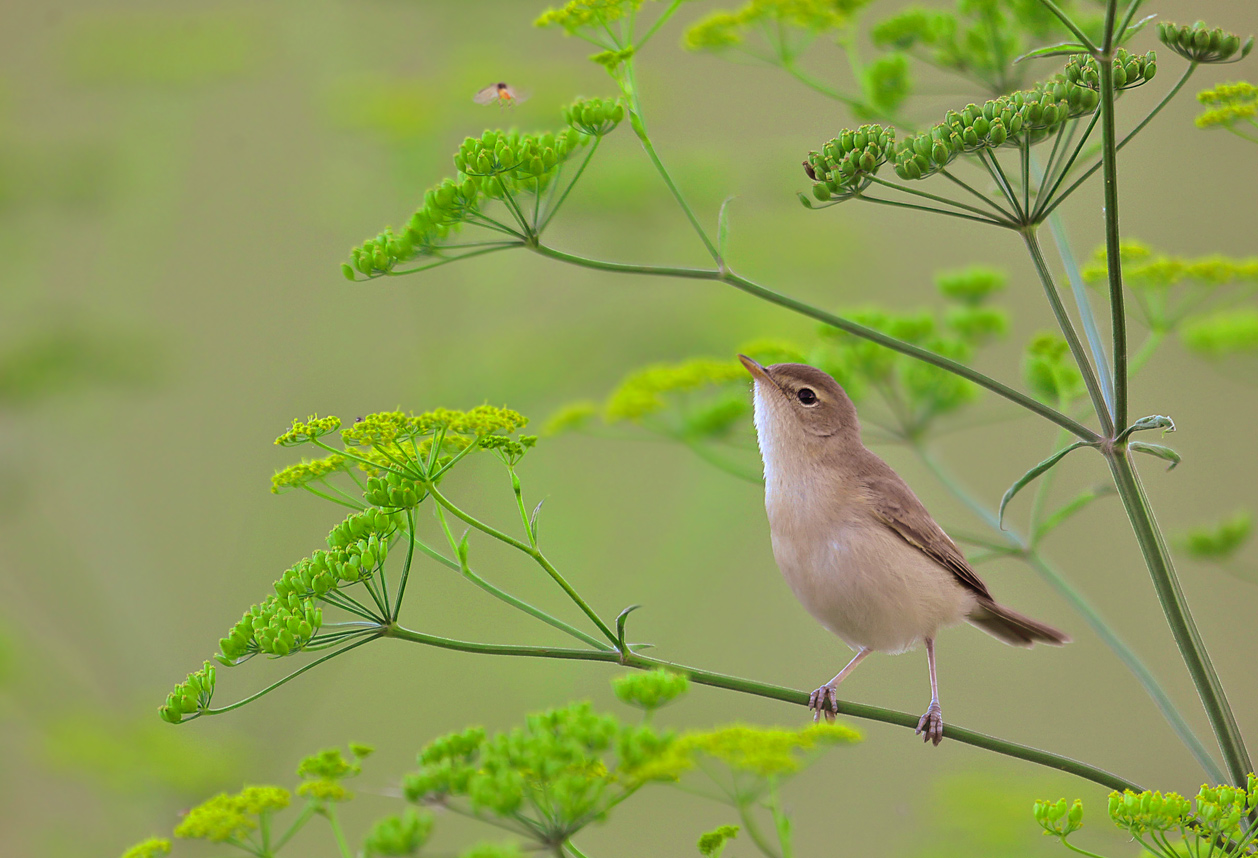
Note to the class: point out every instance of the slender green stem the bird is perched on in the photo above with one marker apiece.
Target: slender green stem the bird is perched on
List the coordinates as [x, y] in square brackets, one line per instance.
[773, 693]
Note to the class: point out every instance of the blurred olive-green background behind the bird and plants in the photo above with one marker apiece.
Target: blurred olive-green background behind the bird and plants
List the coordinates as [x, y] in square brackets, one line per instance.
[179, 184]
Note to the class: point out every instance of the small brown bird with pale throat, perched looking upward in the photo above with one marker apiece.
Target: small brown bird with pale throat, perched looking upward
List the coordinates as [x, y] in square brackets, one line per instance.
[855, 544]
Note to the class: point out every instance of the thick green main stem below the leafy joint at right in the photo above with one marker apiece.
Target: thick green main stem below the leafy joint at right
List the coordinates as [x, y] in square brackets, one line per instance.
[1174, 606]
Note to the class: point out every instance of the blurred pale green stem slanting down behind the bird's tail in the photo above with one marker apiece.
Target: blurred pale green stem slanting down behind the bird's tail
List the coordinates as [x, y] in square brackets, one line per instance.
[1085, 610]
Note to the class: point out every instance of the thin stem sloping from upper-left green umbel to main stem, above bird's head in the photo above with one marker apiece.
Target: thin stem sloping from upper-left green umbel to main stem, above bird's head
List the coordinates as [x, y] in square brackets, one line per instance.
[803, 309]
